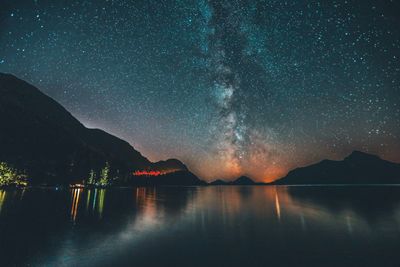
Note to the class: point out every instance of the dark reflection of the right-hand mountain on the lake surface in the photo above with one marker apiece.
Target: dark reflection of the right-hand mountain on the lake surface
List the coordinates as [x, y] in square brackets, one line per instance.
[371, 204]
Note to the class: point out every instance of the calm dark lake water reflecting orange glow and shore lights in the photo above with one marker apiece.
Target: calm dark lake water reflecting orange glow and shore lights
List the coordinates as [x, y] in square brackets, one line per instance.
[201, 226]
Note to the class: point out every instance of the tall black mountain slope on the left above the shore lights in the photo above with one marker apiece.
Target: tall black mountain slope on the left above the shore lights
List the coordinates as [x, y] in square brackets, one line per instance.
[40, 137]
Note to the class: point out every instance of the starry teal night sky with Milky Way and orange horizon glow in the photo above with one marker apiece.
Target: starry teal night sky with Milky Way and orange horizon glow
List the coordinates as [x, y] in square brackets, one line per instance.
[228, 87]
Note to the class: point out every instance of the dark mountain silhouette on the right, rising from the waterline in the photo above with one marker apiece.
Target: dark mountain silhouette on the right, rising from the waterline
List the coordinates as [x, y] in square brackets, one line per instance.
[357, 168]
